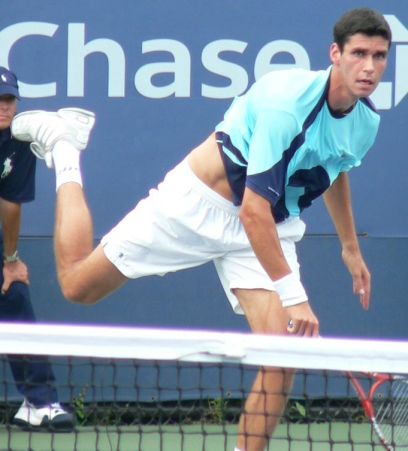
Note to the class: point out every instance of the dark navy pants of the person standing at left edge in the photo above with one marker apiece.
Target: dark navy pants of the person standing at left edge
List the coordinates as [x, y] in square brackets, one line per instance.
[33, 375]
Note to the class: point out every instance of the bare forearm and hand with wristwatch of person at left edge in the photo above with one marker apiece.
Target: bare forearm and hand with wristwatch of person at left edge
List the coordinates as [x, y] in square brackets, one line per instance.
[13, 270]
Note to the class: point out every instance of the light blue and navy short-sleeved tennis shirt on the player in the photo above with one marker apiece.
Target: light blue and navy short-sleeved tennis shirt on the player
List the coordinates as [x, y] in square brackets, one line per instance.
[281, 140]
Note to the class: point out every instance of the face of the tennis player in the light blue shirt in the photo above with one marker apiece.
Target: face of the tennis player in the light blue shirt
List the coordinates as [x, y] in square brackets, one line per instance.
[361, 63]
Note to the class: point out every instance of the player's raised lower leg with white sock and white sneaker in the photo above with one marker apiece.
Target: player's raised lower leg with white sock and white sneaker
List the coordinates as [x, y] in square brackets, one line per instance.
[85, 275]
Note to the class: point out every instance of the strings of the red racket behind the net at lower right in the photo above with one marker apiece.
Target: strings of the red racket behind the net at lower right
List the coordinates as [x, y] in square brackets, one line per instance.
[392, 413]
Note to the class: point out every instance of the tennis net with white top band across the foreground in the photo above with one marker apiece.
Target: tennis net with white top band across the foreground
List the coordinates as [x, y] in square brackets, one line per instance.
[182, 390]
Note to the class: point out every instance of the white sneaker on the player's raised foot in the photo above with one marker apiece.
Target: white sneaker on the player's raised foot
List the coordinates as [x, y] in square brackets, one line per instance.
[44, 128]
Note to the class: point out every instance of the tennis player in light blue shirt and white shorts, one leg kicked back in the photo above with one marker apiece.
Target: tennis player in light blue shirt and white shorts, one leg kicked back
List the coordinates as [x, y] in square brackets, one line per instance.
[236, 199]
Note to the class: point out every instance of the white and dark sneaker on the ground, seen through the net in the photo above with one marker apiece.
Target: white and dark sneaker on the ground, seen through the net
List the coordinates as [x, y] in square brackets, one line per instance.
[52, 417]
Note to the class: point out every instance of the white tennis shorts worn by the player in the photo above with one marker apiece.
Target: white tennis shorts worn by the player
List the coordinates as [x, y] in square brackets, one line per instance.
[183, 224]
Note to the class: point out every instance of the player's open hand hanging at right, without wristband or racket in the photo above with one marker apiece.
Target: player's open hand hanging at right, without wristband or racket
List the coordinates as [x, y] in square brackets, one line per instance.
[360, 274]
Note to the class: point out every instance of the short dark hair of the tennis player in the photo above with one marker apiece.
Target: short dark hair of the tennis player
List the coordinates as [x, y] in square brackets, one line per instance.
[362, 20]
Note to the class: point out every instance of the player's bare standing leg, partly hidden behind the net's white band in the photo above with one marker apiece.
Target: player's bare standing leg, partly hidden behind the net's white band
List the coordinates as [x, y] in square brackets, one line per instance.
[267, 400]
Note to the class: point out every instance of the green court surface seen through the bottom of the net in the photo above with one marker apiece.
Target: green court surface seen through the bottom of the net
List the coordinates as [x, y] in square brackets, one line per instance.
[315, 437]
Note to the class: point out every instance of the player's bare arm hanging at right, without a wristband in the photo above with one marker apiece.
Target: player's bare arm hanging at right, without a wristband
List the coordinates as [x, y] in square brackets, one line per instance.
[338, 203]
